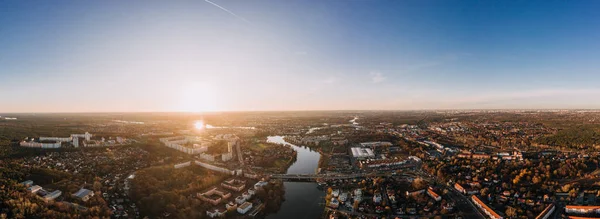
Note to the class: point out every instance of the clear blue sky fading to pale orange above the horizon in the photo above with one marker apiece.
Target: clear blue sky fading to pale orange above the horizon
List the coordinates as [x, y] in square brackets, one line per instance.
[254, 55]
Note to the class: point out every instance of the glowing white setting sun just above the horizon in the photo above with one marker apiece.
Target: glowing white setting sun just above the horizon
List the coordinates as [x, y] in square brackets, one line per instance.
[199, 97]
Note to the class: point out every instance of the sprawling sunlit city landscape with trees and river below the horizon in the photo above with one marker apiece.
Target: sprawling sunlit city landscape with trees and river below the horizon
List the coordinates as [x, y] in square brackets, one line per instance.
[352, 164]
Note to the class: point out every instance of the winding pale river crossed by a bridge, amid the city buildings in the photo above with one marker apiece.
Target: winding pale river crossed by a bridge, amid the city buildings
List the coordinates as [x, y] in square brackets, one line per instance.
[302, 199]
